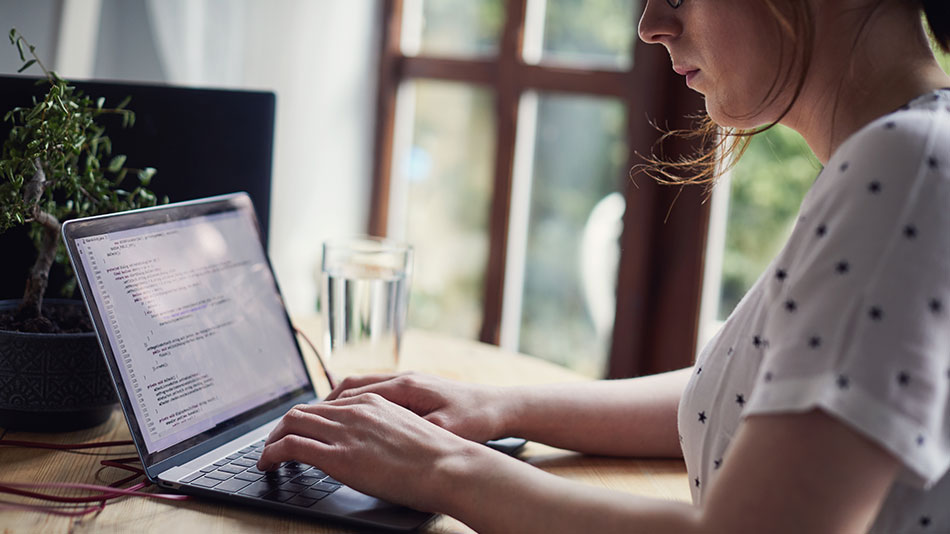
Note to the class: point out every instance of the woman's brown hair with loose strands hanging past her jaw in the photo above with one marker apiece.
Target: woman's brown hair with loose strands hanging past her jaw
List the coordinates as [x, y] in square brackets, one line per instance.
[719, 147]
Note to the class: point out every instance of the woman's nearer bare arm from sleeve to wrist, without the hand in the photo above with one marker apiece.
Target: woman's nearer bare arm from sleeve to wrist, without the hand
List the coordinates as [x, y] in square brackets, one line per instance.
[784, 474]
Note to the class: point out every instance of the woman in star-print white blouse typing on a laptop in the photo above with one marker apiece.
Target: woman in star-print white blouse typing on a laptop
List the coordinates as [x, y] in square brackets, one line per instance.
[822, 404]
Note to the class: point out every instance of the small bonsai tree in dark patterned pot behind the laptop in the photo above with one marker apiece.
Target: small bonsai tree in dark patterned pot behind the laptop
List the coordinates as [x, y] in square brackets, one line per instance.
[56, 165]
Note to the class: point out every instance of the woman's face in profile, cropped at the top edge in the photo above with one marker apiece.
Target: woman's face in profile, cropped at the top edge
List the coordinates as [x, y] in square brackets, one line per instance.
[728, 50]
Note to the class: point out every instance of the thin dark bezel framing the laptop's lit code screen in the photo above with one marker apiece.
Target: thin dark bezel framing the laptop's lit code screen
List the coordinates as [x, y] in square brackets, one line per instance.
[161, 460]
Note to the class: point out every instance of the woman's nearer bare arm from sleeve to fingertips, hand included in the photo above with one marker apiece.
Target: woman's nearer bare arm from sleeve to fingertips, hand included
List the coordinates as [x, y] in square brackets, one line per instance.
[784, 473]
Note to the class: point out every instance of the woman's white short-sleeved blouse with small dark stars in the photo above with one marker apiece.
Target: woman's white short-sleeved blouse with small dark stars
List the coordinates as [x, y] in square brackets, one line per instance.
[852, 317]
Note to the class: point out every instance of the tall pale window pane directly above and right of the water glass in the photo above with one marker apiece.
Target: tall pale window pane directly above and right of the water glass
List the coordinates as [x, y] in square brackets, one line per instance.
[449, 173]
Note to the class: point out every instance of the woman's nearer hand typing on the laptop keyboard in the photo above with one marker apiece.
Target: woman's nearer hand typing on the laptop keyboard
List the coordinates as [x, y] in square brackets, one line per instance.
[376, 447]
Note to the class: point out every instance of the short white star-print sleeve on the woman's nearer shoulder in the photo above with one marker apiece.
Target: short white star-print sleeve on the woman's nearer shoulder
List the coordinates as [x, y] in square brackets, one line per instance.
[859, 322]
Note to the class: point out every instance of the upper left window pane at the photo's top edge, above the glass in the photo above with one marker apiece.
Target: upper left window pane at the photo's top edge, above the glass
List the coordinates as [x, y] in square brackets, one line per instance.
[464, 28]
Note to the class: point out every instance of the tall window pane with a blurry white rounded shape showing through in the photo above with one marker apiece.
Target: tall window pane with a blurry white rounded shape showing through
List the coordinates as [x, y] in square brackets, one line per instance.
[573, 231]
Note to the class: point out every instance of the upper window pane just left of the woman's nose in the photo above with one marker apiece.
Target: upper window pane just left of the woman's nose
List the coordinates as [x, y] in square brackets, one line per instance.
[590, 33]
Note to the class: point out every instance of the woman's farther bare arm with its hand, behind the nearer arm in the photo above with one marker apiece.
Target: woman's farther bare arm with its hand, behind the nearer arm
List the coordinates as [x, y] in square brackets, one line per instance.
[632, 417]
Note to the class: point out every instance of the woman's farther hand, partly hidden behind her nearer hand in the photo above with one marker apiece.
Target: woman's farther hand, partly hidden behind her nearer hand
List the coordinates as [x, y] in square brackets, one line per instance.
[472, 411]
